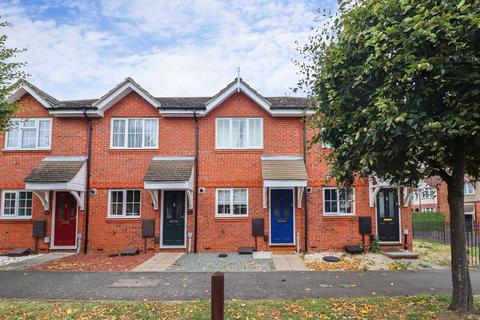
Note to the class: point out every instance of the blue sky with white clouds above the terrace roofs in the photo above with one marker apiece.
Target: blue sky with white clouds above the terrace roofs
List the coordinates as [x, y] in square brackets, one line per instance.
[81, 49]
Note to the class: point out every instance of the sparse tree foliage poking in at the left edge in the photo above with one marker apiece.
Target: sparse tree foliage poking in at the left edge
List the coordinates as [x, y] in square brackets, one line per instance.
[10, 72]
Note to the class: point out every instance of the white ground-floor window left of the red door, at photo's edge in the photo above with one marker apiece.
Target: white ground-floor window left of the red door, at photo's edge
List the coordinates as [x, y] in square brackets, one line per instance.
[16, 204]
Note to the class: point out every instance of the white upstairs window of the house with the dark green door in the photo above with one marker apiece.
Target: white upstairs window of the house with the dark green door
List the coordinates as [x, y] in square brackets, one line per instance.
[134, 133]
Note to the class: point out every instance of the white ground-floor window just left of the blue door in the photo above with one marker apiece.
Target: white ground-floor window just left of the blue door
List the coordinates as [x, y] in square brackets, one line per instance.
[231, 203]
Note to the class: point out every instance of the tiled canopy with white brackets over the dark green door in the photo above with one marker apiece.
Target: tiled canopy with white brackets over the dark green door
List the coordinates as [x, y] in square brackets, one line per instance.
[170, 173]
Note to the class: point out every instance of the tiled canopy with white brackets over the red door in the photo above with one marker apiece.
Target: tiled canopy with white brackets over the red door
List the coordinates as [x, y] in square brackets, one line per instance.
[59, 174]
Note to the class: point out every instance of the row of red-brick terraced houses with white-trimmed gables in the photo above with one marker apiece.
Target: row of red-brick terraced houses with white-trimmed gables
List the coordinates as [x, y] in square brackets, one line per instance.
[179, 173]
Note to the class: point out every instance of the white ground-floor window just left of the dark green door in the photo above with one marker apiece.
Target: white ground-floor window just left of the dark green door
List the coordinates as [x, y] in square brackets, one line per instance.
[124, 203]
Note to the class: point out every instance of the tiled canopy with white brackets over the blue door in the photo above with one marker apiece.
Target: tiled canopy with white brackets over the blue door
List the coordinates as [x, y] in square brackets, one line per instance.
[284, 172]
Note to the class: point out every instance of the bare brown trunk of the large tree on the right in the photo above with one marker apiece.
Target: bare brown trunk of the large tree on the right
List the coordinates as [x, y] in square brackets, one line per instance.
[462, 297]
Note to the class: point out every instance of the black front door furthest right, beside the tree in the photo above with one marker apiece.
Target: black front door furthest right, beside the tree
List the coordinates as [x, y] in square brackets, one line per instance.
[388, 221]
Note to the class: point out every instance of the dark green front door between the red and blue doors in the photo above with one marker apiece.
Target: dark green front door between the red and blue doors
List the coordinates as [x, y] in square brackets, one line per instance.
[173, 218]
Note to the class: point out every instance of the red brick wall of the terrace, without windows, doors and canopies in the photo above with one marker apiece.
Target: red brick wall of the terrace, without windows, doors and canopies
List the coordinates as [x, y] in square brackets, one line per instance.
[218, 169]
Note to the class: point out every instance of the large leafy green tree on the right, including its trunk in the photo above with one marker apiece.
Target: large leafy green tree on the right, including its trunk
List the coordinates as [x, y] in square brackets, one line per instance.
[397, 85]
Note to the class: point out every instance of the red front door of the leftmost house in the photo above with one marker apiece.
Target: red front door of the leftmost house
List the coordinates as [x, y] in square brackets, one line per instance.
[65, 219]
